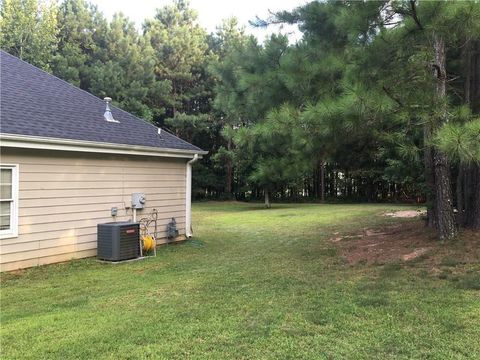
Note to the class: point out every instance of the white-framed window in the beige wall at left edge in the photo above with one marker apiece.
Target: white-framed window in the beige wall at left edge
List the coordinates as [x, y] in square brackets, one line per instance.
[8, 201]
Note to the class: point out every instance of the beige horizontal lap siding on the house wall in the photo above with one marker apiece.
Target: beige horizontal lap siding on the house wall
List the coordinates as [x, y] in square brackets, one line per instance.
[64, 195]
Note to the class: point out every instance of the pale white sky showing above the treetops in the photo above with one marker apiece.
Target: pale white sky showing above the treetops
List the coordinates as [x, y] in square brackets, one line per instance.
[210, 12]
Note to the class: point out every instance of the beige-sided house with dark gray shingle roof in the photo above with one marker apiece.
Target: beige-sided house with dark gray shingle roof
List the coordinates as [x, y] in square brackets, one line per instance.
[69, 160]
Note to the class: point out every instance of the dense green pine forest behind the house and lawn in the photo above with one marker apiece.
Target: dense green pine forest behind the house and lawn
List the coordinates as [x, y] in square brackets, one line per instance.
[379, 100]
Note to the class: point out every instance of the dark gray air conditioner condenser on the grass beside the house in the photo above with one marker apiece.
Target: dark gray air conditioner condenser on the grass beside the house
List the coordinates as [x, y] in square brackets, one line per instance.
[118, 241]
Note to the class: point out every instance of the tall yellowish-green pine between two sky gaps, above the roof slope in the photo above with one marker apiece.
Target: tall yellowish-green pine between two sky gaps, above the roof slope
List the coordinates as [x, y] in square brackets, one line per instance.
[179, 54]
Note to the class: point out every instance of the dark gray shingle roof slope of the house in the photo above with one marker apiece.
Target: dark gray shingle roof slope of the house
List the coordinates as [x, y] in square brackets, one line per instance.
[35, 103]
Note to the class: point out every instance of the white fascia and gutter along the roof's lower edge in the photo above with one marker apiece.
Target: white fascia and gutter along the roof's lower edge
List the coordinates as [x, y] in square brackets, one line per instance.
[36, 142]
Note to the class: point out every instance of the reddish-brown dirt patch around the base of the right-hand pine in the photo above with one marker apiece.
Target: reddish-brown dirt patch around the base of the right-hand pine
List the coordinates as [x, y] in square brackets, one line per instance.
[407, 242]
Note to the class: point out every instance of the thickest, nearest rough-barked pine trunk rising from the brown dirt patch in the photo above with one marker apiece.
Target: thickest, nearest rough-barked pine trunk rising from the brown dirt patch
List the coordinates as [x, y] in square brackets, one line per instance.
[446, 227]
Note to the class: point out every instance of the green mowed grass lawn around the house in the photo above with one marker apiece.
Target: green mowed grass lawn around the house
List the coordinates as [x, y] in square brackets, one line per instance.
[253, 284]
